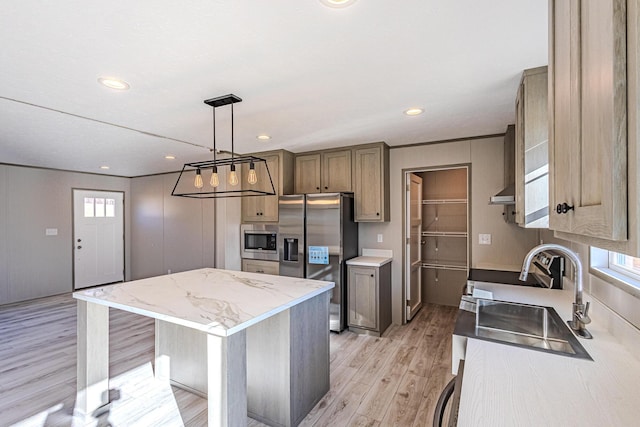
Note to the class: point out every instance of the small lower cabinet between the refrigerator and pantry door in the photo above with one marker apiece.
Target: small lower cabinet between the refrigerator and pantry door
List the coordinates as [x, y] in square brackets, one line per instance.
[369, 296]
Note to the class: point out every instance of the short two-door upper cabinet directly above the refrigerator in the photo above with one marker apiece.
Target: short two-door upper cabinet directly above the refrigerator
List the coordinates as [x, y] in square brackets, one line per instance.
[323, 172]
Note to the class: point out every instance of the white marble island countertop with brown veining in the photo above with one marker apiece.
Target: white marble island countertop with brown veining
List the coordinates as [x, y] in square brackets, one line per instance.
[219, 302]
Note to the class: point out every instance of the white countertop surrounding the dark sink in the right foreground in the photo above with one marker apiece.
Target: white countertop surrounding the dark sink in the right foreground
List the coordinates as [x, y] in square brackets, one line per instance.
[510, 386]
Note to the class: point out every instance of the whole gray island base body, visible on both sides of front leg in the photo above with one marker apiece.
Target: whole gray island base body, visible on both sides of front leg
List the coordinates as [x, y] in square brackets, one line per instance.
[286, 354]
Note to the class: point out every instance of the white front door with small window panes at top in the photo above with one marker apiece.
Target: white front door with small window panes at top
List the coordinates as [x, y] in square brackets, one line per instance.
[98, 237]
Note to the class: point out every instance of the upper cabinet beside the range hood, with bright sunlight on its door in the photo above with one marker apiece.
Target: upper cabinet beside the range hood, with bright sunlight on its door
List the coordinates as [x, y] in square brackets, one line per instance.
[532, 150]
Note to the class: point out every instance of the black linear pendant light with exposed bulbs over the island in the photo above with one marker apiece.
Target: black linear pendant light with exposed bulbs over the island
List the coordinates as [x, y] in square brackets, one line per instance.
[191, 175]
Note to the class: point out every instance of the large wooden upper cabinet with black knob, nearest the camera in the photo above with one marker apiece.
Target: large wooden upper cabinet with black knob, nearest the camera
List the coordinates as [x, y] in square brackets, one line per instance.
[588, 118]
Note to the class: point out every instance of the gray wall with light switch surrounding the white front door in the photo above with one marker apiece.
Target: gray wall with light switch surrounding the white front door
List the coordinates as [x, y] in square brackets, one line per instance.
[33, 265]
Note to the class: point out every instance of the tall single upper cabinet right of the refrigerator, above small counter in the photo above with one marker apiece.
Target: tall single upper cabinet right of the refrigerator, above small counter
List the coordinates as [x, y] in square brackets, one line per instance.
[371, 183]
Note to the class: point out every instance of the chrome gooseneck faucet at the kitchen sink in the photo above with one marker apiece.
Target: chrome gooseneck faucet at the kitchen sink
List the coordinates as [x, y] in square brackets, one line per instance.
[580, 310]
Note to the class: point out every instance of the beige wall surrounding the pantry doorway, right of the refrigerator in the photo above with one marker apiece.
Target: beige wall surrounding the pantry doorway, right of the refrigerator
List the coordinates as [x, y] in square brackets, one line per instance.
[510, 243]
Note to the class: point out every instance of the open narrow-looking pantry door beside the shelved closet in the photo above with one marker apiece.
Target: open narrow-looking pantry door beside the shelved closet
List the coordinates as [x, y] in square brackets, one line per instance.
[413, 234]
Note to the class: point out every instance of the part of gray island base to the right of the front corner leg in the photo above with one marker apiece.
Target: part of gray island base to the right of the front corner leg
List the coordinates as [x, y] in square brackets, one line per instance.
[288, 354]
